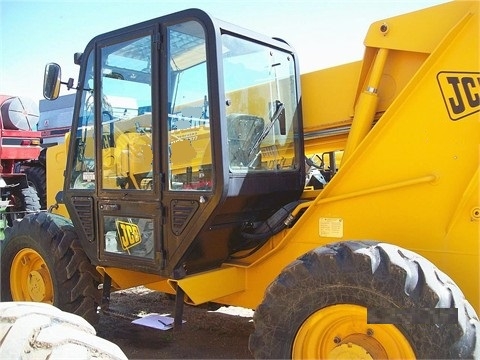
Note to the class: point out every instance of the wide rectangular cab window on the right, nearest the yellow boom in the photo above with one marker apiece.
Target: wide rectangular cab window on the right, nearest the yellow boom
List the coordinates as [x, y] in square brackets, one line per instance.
[261, 94]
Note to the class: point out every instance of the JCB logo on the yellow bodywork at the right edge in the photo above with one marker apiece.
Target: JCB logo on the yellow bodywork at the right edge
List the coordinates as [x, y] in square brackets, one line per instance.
[461, 93]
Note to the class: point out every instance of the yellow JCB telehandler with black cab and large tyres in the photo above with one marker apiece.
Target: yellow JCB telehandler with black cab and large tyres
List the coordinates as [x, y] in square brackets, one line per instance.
[342, 205]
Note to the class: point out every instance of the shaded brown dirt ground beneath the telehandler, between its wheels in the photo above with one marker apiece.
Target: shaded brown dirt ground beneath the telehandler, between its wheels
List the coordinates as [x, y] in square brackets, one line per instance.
[206, 334]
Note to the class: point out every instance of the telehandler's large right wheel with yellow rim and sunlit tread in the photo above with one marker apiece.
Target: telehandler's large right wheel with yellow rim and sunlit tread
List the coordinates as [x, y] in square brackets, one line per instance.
[318, 308]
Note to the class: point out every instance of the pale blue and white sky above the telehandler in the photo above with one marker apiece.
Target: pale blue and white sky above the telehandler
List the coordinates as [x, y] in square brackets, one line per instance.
[324, 33]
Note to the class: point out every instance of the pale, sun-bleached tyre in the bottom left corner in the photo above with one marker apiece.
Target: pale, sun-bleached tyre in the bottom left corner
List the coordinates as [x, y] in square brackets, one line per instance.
[41, 331]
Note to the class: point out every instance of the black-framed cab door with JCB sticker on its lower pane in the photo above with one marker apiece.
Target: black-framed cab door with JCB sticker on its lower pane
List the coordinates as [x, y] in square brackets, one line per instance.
[129, 194]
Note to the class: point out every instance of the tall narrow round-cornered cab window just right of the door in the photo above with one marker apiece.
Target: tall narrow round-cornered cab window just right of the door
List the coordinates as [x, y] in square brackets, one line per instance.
[189, 152]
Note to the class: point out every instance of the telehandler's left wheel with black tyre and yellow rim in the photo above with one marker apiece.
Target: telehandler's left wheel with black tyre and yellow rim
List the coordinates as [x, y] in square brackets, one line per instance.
[43, 261]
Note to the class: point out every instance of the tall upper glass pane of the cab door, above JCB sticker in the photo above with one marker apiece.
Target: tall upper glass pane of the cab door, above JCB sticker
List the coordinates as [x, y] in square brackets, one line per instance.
[126, 117]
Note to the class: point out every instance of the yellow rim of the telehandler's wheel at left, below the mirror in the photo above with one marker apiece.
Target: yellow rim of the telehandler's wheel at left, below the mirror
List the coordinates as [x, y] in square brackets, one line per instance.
[30, 278]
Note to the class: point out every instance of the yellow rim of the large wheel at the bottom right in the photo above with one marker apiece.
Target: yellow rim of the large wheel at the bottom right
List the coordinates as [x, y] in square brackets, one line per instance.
[342, 332]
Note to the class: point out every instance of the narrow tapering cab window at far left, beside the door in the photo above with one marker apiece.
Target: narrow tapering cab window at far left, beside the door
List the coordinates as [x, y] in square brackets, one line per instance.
[83, 174]
